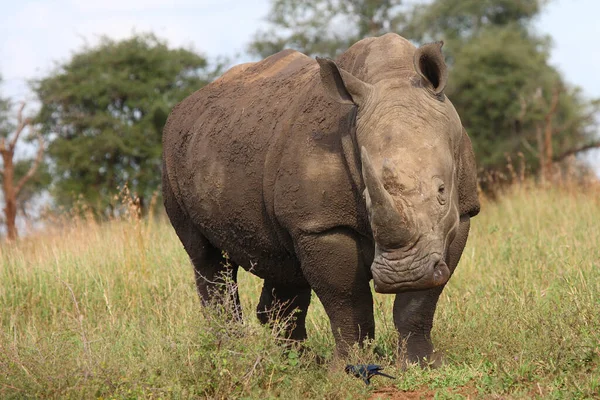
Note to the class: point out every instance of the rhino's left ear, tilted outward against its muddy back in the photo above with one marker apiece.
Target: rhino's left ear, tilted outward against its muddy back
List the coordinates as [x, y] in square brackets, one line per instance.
[342, 86]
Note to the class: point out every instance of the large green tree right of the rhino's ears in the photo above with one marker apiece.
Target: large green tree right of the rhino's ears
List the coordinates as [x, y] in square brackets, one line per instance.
[509, 97]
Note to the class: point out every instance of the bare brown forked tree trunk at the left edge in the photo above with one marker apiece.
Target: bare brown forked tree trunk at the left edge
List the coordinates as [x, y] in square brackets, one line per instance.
[13, 174]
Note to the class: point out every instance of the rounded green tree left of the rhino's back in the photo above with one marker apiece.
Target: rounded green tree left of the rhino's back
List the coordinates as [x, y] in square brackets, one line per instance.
[103, 112]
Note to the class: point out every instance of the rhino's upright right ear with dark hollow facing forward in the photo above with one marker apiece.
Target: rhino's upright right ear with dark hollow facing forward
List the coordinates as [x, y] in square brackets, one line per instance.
[430, 65]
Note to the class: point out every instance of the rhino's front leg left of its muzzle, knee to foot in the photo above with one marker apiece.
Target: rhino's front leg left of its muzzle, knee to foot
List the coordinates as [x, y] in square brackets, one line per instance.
[333, 265]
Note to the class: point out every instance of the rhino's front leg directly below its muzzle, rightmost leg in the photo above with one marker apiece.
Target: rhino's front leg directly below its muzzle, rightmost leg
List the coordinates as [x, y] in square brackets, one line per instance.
[414, 311]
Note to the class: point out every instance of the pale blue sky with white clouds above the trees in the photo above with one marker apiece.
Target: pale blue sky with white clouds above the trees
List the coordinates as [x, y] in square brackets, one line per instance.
[36, 34]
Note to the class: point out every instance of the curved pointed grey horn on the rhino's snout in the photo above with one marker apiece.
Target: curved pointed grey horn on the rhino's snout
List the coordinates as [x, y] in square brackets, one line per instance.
[390, 223]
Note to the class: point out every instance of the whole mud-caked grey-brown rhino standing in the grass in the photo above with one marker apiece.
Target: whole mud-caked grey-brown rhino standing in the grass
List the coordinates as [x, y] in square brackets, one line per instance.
[324, 175]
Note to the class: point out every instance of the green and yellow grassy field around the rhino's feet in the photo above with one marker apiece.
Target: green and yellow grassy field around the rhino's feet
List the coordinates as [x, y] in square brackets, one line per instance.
[110, 311]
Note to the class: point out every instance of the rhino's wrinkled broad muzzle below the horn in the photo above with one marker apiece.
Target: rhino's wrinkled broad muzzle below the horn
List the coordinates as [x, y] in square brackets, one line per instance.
[395, 275]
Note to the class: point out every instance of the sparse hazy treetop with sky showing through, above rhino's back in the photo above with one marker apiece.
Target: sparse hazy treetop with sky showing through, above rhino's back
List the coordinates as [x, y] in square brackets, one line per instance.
[325, 27]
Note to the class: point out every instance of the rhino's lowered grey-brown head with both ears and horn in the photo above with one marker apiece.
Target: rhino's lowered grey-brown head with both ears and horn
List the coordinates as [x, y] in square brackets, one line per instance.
[409, 136]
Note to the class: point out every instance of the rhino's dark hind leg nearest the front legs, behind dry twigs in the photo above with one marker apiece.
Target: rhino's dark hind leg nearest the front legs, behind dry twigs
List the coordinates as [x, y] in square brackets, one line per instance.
[286, 304]
